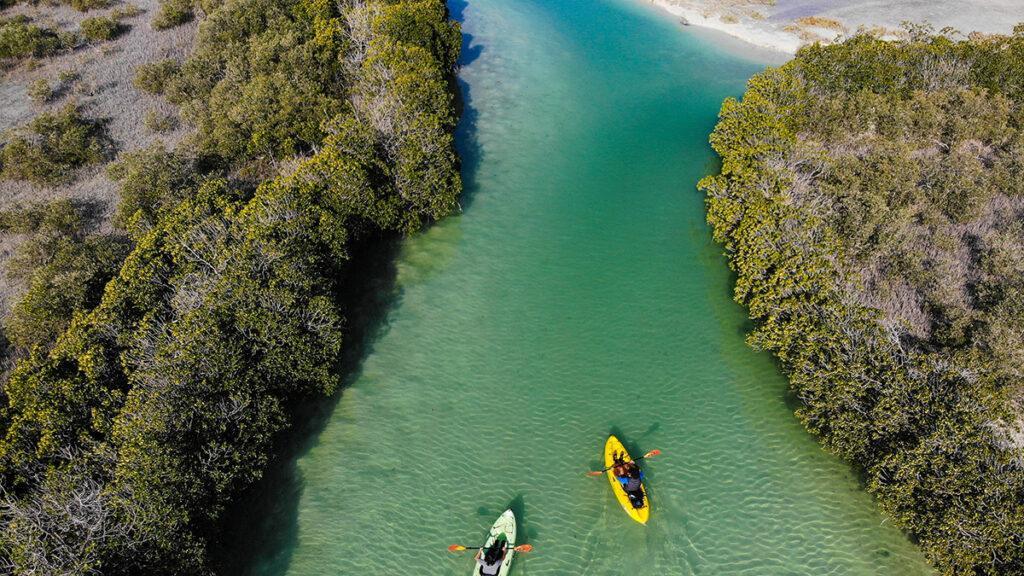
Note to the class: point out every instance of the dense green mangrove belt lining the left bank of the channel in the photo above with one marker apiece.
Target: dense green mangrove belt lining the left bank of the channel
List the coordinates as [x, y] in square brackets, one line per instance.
[123, 442]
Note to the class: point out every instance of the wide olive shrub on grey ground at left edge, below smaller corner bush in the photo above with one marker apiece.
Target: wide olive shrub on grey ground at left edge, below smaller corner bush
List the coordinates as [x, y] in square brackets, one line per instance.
[53, 147]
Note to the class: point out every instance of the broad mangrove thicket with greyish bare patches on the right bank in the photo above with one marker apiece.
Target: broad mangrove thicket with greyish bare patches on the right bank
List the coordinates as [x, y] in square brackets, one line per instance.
[870, 201]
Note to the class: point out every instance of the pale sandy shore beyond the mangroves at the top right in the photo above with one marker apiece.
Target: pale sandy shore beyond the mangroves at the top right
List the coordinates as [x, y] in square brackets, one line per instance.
[784, 26]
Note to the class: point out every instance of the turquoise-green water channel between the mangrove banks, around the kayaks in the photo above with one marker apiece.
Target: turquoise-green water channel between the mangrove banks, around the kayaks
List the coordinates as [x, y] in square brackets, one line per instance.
[578, 294]
